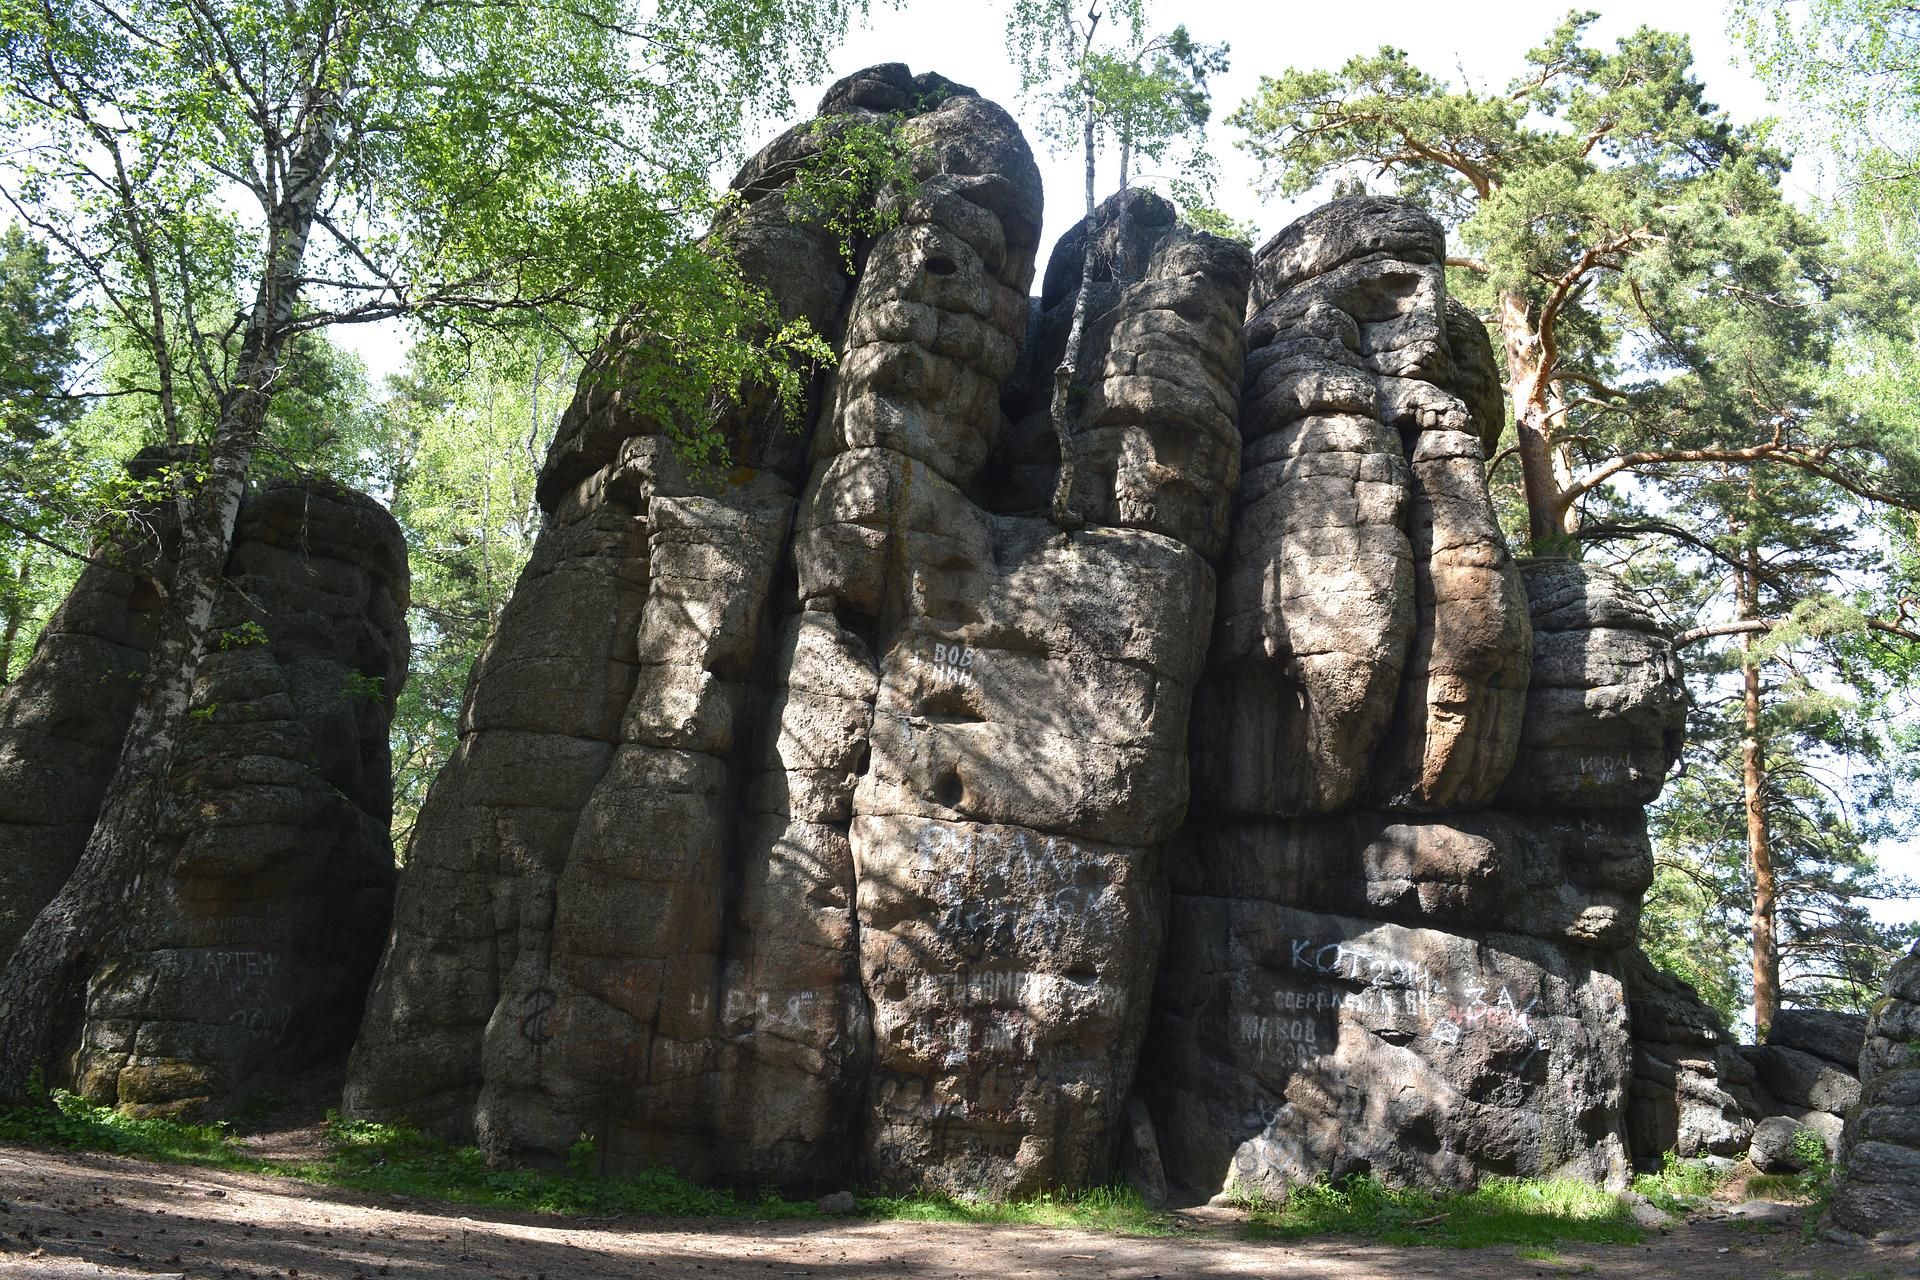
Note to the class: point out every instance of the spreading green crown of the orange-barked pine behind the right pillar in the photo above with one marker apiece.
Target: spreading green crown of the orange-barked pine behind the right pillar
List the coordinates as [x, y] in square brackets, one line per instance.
[1673, 310]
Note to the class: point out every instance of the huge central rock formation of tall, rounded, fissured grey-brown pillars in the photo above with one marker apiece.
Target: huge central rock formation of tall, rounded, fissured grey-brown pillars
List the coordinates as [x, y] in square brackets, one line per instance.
[817, 820]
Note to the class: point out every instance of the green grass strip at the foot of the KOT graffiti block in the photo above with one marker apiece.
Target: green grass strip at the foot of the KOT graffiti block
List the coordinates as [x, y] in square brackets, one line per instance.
[1500, 1212]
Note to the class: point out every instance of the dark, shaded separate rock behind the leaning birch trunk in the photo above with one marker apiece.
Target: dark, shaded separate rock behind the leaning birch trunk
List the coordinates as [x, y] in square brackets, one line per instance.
[254, 941]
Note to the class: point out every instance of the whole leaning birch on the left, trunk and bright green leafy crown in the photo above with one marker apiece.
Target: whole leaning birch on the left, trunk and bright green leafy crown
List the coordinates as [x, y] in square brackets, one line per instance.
[228, 176]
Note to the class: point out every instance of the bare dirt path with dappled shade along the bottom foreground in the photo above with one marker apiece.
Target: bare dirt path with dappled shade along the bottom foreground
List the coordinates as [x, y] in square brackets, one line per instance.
[68, 1216]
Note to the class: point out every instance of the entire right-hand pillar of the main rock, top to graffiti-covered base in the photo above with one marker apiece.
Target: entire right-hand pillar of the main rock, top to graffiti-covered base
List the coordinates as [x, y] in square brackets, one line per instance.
[1366, 968]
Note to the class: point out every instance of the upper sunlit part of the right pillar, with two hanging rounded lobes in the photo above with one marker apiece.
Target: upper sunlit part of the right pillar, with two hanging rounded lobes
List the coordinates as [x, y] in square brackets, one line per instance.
[1374, 632]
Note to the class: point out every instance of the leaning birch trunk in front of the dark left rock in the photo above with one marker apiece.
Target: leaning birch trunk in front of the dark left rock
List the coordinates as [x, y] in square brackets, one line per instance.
[45, 985]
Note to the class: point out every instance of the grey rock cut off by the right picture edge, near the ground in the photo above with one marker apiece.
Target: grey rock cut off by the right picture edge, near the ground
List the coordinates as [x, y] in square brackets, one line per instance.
[1879, 1193]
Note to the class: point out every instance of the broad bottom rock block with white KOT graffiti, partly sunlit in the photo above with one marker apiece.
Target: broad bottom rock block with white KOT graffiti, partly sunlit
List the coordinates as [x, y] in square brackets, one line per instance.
[1301, 1045]
